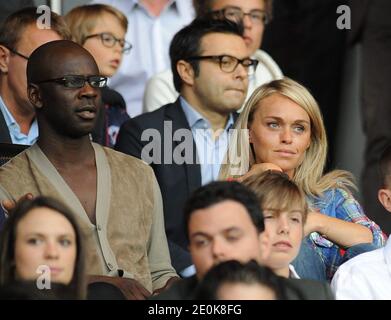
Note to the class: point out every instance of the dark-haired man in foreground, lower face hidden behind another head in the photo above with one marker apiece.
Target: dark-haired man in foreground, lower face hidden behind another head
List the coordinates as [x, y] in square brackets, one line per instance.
[224, 222]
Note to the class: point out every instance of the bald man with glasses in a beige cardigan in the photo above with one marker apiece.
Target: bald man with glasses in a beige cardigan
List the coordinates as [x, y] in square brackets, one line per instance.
[115, 196]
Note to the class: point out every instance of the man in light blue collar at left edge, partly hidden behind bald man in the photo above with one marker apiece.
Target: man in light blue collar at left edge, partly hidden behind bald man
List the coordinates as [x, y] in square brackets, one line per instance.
[19, 36]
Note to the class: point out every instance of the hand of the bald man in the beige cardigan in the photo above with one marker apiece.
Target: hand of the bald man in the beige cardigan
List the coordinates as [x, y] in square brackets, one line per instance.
[131, 289]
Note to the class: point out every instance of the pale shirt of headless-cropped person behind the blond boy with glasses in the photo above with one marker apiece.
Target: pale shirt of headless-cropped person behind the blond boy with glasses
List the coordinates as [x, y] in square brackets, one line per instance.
[150, 37]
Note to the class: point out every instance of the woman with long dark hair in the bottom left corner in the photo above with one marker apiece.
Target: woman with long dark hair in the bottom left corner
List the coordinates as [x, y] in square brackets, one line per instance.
[43, 233]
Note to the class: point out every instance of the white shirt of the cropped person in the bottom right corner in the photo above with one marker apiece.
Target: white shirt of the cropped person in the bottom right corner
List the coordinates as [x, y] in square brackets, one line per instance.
[365, 277]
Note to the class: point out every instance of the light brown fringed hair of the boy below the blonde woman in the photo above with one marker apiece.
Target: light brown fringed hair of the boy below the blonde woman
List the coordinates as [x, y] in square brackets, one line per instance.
[276, 191]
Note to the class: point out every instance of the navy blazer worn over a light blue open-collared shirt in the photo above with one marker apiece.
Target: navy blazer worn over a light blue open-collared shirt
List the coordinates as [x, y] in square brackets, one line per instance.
[176, 181]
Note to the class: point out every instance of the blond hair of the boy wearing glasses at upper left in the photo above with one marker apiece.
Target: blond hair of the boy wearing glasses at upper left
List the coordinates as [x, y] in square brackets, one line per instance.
[83, 19]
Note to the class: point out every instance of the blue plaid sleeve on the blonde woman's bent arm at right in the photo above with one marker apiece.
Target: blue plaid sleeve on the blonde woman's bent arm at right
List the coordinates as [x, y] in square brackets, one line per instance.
[348, 209]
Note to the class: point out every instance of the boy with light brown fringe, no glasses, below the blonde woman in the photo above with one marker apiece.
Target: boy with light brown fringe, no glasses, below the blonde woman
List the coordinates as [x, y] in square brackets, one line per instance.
[285, 211]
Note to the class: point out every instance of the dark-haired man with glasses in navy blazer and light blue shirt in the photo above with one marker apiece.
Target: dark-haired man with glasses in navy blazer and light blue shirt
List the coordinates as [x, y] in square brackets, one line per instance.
[211, 66]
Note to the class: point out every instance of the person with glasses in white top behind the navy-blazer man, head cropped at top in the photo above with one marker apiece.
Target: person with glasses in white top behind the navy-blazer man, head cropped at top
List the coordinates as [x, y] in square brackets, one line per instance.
[254, 14]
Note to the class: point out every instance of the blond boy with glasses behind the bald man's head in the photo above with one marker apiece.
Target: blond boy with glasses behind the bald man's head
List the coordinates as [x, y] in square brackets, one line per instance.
[101, 30]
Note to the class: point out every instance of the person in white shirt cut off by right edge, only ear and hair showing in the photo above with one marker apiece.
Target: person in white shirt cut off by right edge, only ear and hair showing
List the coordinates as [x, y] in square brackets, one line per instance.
[368, 276]
